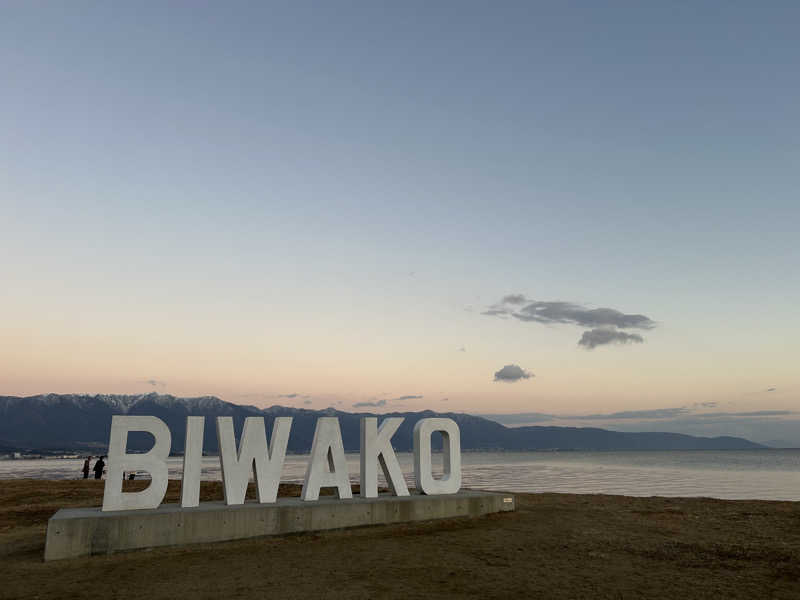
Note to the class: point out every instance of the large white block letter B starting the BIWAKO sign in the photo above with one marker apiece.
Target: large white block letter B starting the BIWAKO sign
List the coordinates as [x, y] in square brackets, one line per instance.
[153, 461]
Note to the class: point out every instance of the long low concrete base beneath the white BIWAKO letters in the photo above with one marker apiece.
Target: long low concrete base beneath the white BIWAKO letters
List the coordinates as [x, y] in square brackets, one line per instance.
[74, 532]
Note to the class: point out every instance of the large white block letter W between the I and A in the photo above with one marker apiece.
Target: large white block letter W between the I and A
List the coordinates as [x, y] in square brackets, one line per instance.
[236, 467]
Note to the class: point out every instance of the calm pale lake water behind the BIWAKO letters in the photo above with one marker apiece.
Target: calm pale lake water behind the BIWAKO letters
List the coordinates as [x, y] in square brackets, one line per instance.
[762, 474]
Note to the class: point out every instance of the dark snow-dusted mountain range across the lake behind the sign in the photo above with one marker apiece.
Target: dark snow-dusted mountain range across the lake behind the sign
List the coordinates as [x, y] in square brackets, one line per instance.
[71, 422]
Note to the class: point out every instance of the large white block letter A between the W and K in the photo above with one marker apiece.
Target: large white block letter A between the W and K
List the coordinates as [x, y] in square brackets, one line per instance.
[327, 466]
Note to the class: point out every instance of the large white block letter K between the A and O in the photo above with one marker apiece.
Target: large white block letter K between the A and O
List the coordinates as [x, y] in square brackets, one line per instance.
[376, 446]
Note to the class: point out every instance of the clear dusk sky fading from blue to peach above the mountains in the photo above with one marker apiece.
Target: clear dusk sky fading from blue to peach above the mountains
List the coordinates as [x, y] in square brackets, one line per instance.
[567, 208]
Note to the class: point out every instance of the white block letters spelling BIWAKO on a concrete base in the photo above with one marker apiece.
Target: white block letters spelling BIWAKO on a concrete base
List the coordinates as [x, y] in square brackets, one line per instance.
[327, 466]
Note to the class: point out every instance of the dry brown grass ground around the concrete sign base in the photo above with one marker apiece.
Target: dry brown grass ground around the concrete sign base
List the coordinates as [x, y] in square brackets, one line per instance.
[553, 546]
